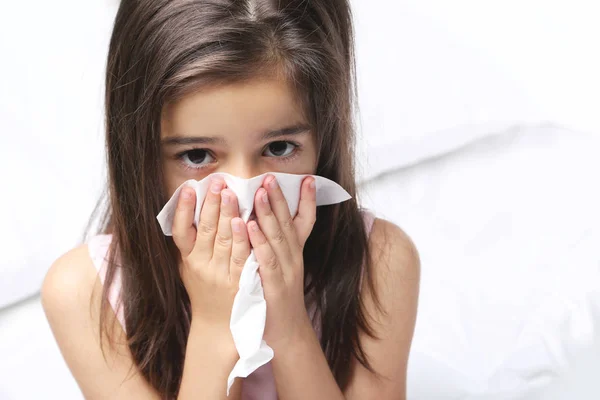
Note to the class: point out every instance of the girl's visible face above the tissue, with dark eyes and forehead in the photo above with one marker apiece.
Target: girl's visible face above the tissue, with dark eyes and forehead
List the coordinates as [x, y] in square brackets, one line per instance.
[243, 129]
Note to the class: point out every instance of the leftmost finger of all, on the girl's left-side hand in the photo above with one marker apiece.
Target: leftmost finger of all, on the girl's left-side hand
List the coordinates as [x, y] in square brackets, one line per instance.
[184, 232]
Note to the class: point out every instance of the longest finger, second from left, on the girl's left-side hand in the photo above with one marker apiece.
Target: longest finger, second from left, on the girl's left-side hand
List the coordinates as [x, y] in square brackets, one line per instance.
[209, 217]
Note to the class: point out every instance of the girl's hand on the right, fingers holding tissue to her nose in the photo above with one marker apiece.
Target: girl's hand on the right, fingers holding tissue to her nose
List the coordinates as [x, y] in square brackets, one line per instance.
[278, 241]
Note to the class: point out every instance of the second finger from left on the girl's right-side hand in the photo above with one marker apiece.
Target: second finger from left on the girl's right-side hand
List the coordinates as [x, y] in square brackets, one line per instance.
[272, 230]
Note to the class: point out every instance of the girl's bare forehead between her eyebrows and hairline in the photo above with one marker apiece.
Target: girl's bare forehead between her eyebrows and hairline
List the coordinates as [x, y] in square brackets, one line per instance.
[224, 110]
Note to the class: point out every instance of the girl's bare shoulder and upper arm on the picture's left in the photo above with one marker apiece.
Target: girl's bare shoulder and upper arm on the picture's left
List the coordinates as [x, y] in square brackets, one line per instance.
[71, 297]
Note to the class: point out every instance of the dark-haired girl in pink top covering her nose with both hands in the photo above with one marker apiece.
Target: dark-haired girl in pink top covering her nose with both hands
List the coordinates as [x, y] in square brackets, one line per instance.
[245, 87]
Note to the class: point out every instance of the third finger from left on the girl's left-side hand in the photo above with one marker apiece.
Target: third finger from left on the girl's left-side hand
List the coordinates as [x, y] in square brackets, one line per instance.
[223, 238]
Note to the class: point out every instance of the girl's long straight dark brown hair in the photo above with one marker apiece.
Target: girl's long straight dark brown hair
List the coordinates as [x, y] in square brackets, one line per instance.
[159, 51]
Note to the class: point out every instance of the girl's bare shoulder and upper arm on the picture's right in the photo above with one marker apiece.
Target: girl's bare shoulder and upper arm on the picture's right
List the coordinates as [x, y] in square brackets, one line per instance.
[391, 309]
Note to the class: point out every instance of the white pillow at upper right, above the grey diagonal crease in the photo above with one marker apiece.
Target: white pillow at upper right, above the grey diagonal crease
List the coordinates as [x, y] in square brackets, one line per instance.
[431, 71]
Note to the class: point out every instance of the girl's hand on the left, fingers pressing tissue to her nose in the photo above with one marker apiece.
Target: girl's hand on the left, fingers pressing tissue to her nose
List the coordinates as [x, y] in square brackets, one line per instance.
[212, 256]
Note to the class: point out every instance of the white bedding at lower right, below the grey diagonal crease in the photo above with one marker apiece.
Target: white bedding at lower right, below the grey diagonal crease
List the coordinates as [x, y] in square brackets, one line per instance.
[507, 229]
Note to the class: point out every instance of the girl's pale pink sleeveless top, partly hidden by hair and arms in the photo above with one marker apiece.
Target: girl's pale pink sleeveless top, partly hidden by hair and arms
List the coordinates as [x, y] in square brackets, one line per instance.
[260, 385]
